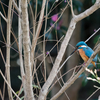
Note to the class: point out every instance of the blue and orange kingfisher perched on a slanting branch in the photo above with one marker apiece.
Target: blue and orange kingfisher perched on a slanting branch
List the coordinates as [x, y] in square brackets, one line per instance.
[85, 52]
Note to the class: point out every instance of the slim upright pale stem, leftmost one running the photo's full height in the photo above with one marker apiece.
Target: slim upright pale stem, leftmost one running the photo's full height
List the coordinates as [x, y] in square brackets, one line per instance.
[7, 65]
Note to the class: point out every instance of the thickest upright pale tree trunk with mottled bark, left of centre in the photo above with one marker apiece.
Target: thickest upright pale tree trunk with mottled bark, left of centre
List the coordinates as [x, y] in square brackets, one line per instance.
[26, 42]
